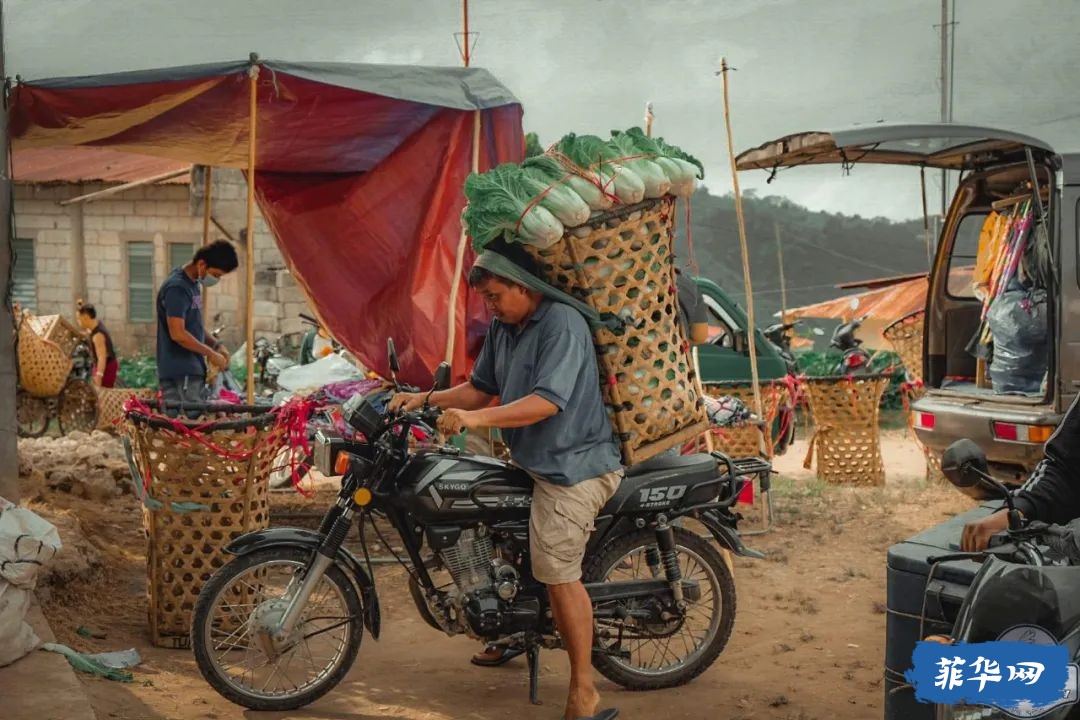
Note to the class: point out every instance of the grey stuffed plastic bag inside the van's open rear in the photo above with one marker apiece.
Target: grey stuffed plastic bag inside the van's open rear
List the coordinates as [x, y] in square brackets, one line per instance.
[1018, 321]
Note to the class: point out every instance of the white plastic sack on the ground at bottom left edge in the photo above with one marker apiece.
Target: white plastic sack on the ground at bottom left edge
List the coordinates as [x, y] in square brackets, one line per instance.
[28, 544]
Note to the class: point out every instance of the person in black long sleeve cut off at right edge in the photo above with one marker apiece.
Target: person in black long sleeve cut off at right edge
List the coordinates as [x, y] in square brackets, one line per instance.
[1051, 494]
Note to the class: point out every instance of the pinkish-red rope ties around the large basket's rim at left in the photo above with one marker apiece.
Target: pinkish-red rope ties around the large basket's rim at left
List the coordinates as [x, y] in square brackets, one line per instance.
[291, 420]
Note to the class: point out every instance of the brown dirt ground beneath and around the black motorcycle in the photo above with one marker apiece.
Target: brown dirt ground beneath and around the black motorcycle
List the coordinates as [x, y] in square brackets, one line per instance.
[808, 643]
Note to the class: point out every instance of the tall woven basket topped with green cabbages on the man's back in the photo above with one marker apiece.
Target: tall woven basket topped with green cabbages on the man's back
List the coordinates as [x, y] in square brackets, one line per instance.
[611, 247]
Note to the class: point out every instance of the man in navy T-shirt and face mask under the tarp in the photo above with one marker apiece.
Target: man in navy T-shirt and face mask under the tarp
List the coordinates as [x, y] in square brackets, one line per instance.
[183, 349]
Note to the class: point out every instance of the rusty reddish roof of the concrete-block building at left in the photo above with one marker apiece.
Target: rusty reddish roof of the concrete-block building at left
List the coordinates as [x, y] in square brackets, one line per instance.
[90, 165]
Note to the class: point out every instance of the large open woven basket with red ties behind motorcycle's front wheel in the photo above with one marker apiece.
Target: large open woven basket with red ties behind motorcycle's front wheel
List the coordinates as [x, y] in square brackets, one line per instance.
[185, 549]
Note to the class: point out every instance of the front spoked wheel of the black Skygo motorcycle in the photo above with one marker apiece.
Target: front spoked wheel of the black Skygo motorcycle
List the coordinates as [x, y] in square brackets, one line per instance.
[234, 641]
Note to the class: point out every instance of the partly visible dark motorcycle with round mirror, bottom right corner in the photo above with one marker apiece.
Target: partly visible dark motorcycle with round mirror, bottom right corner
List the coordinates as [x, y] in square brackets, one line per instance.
[1028, 589]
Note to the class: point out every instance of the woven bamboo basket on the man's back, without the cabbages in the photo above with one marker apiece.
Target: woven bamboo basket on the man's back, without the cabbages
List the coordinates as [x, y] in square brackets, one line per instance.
[622, 265]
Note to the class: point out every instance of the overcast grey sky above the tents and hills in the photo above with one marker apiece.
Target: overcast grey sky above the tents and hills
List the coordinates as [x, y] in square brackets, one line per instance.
[590, 65]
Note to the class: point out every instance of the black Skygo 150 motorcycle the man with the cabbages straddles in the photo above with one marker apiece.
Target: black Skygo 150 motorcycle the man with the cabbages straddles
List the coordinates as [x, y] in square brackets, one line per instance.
[664, 599]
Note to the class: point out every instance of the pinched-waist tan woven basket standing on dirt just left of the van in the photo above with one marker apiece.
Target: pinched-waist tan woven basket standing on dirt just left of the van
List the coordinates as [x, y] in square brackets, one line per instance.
[846, 436]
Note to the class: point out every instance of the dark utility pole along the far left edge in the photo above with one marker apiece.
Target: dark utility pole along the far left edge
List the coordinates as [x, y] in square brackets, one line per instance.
[9, 442]
